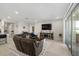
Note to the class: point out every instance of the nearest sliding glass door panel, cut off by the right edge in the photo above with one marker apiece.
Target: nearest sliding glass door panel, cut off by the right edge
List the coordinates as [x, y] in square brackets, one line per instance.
[75, 31]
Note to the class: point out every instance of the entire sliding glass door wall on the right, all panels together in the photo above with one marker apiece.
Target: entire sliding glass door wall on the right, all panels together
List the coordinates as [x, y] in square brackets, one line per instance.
[72, 31]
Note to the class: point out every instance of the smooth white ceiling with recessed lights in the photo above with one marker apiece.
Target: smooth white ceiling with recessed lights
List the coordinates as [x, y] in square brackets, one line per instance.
[29, 12]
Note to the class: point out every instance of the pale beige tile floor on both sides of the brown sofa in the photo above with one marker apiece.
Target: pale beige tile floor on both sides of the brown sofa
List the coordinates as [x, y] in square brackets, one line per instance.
[50, 48]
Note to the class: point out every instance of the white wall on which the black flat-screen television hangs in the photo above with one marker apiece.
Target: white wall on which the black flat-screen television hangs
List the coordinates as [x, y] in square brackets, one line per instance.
[57, 28]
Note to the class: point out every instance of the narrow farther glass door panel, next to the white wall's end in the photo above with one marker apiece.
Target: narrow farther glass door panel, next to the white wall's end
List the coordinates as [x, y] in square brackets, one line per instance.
[68, 32]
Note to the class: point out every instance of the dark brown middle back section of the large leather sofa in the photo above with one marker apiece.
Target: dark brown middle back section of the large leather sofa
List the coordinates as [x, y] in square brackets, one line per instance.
[28, 46]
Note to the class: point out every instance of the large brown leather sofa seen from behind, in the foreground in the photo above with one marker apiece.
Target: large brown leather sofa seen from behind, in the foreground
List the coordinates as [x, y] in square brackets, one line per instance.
[29, 46]
